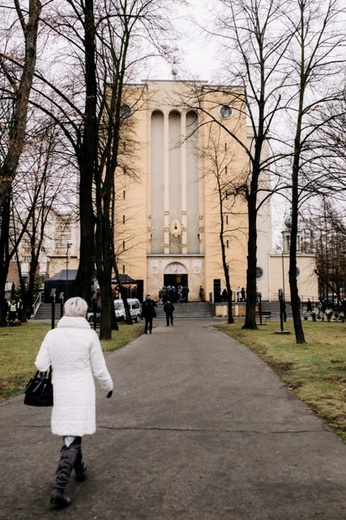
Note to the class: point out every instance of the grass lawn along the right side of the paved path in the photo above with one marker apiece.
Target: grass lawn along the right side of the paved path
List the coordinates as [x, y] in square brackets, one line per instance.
[315, 371]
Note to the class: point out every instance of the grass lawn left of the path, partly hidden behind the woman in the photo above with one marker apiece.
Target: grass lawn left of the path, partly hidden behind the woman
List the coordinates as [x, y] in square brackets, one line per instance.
[19, 347]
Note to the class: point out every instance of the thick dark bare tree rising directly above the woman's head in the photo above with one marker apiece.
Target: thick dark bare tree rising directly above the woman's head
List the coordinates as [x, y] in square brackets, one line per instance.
[70, 98]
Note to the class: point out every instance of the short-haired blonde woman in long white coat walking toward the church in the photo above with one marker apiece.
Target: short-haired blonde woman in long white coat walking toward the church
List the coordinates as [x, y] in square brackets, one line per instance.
[74, 352]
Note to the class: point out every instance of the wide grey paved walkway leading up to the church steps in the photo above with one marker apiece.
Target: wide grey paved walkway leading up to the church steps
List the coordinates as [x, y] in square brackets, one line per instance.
[198, 428]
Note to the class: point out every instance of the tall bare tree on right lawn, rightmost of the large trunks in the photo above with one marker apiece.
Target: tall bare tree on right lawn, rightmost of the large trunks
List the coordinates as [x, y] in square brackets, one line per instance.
[316, 53]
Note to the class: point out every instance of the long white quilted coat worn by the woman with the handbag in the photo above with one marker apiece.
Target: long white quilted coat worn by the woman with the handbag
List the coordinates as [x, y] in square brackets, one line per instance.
[74, 352]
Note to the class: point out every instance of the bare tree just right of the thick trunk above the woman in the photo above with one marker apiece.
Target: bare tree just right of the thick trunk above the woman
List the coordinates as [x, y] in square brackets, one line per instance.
[126, 27]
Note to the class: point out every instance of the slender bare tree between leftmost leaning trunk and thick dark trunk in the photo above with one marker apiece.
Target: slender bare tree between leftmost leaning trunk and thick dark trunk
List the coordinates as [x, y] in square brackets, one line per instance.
[40, 185]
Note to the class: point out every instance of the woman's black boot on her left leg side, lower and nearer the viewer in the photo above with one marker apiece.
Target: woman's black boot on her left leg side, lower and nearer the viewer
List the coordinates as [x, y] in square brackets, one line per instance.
[68, 459]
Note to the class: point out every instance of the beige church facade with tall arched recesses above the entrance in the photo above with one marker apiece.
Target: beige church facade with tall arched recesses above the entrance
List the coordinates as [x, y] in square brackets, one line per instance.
[168, 210]
